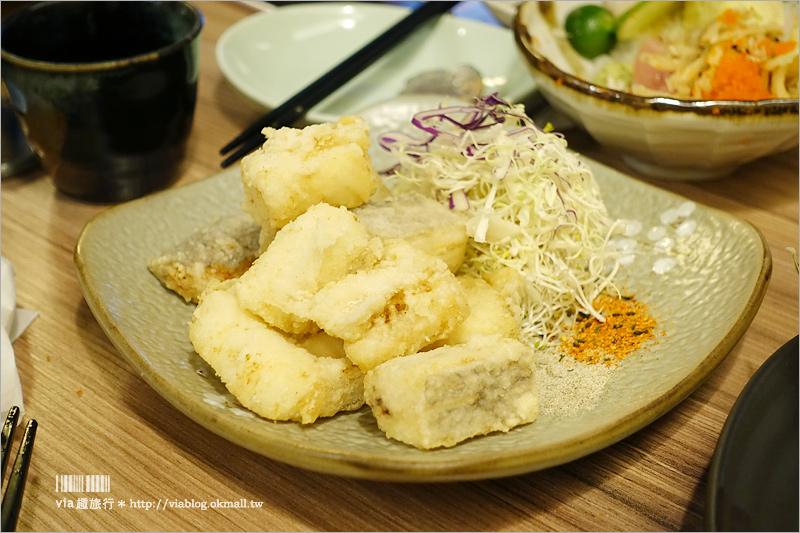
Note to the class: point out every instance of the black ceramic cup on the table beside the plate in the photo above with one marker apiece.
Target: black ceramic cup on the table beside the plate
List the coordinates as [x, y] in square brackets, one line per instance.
[105, 91]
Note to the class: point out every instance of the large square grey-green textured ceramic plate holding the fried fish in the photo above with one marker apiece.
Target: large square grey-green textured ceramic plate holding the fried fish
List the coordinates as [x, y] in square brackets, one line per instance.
[705, 303]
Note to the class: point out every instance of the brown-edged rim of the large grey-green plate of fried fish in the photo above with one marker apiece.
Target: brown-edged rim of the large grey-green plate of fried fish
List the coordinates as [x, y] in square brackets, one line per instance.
[482, 465]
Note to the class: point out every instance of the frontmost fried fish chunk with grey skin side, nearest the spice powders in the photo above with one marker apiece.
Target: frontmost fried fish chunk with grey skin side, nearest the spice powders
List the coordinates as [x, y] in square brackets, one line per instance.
[445, 396]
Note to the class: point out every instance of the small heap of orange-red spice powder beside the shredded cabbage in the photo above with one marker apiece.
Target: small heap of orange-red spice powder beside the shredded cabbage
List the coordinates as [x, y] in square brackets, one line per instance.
[626, 328]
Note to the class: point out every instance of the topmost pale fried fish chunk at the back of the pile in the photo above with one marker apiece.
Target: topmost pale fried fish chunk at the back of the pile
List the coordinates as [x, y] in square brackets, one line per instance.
[297, 168]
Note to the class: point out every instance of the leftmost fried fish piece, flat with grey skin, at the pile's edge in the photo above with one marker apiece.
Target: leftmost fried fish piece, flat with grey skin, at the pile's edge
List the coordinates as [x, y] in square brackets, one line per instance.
[219, 251]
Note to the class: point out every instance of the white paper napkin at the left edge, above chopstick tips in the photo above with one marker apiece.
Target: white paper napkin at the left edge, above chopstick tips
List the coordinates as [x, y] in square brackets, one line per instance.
[15, 321]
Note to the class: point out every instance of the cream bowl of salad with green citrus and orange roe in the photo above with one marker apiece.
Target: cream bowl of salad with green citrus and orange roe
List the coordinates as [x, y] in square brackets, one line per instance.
[683, 90]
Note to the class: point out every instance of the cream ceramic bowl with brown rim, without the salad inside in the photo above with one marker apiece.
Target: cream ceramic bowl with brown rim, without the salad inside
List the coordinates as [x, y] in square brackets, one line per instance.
[662, 137]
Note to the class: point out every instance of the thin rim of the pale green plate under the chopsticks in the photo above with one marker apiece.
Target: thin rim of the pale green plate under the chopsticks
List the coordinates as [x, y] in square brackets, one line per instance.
[317, 116]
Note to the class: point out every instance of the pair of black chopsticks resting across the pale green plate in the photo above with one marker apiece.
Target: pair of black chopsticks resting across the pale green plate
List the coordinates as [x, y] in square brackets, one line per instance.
[299, 104]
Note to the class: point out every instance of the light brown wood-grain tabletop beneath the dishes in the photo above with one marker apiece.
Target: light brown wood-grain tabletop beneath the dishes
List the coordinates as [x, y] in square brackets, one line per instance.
[97, 416]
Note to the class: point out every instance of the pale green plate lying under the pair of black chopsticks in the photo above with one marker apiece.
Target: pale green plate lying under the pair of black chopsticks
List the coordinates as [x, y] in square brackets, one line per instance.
[273, 55]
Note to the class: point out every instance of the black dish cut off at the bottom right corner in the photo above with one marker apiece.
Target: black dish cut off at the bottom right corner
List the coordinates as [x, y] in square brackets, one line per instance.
[753, 479]
